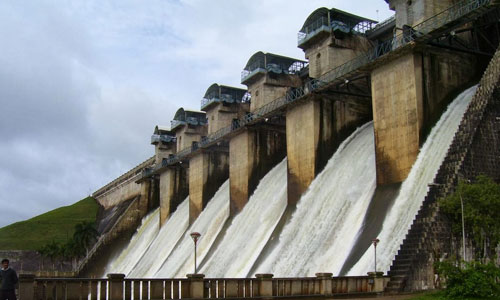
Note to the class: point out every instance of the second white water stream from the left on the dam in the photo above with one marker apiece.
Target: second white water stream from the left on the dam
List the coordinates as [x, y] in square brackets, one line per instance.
[163, 244]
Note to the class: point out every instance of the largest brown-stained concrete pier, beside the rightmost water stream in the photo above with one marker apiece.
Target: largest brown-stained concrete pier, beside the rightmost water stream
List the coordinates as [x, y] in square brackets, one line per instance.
[409, 94]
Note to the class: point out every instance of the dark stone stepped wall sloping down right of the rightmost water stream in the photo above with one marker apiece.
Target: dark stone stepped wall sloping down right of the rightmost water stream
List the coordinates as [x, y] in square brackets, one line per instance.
[429, 235]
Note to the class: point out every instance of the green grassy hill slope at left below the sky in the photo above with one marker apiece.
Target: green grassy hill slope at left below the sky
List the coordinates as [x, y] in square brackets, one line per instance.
[57, 225]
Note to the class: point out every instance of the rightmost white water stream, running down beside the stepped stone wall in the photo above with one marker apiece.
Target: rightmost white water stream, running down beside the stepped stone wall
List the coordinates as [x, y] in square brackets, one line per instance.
[415, 187]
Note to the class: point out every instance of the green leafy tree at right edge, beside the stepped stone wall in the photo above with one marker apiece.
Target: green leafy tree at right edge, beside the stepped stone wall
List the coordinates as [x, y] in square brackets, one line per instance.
[481, 206]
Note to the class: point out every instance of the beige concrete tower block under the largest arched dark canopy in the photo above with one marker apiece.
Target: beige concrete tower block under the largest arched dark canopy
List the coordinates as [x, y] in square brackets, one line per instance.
[330, 52]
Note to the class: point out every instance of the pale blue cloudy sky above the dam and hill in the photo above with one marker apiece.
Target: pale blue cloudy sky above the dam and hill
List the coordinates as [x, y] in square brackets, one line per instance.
[84, 82]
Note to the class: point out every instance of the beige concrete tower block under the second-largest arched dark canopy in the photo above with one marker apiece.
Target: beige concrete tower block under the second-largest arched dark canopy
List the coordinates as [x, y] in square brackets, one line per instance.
[270, 87]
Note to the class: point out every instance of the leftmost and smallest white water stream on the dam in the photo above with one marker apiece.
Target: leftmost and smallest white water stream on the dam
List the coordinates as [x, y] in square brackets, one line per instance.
[139, 242]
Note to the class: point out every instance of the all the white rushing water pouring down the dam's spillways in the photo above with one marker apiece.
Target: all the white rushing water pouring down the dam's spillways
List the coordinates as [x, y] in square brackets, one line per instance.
[322, 231]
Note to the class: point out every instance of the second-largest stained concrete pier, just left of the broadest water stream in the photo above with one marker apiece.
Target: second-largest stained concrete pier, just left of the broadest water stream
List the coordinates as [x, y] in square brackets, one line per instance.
[314, 129]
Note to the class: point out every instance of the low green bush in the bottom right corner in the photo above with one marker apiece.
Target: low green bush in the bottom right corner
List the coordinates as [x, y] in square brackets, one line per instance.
[473, 280]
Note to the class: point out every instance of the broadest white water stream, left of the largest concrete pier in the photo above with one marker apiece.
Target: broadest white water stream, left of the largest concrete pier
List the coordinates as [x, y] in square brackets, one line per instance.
[323, 228]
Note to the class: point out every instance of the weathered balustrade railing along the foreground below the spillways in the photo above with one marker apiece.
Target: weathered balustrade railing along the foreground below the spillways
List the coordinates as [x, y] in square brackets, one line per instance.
[117, 287]
